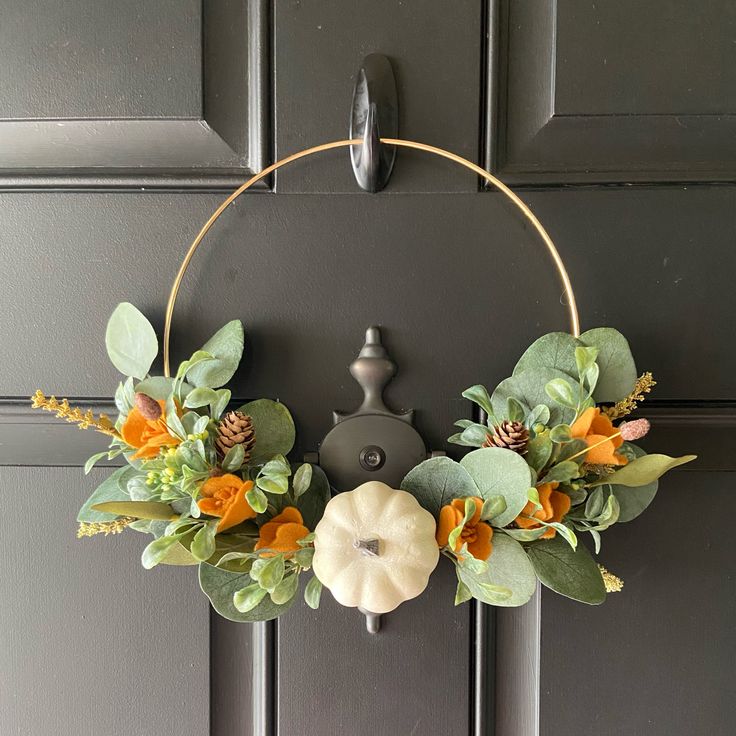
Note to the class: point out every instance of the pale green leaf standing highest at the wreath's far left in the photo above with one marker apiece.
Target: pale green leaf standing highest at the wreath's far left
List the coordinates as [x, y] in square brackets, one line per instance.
[131, 341]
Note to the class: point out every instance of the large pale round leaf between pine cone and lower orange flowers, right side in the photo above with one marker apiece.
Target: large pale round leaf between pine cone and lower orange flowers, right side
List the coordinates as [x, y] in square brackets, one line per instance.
[499, 472]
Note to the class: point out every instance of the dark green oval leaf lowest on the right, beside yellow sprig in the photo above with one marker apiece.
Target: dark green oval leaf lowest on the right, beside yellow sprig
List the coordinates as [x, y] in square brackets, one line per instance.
[572, 573]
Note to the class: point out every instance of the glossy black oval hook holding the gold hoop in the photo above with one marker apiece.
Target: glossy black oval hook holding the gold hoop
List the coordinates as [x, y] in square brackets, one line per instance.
[375, 113]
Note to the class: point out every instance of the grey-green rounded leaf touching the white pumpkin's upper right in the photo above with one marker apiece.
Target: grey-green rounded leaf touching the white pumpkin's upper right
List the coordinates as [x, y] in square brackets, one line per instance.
[436, 482]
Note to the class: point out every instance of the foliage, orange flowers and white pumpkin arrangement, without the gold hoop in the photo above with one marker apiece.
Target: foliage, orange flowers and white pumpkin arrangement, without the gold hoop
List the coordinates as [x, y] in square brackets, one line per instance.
[553, 459]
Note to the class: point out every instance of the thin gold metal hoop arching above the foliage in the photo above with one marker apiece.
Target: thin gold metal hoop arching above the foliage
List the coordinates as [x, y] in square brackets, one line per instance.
[523, 208]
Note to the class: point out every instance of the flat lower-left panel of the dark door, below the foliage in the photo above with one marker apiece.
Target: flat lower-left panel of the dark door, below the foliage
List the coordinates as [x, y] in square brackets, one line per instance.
[90, 645]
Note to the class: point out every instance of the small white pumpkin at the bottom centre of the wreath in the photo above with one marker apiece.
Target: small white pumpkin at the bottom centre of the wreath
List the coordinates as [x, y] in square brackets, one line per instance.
[375, 547]
